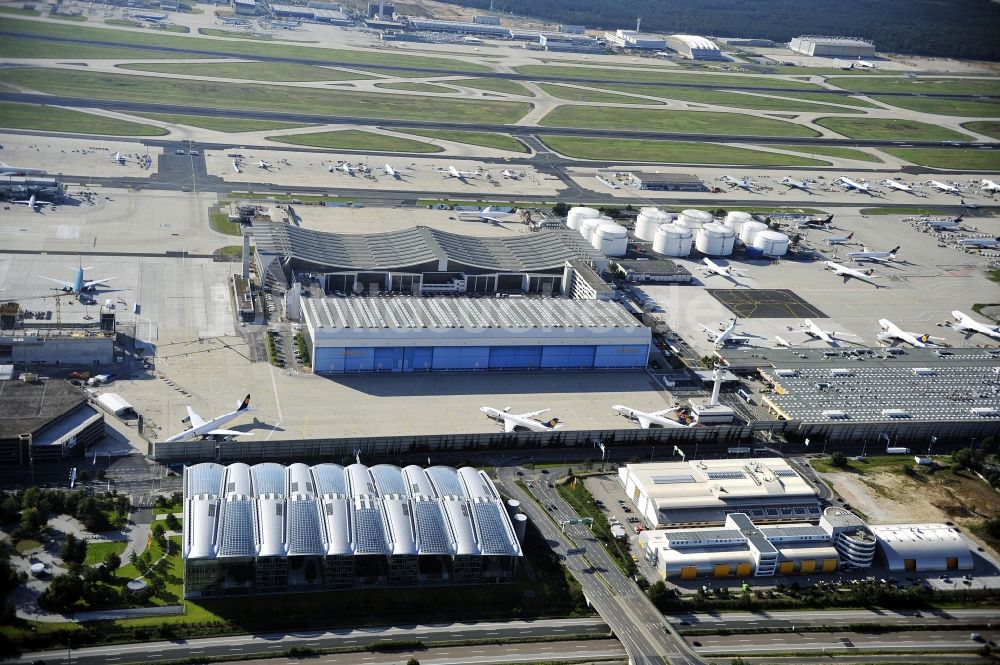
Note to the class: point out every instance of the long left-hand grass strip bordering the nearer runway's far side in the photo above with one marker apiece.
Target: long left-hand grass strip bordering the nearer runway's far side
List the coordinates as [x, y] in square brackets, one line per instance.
[277, 98]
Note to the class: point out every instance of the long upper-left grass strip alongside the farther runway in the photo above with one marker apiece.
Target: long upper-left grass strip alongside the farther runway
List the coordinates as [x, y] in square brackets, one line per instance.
[225, 48]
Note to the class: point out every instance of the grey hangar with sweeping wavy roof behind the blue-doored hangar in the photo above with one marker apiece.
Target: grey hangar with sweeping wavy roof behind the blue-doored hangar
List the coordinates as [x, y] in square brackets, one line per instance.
[419, 260]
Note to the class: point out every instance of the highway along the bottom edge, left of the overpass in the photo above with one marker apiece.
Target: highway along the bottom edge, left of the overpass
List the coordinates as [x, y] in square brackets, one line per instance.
[241, 646]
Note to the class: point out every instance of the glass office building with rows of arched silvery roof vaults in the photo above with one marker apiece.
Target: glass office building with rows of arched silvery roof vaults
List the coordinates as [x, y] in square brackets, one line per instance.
[270, 528]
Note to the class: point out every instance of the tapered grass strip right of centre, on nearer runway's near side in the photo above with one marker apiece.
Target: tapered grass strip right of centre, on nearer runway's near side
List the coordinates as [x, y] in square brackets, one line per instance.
[678, 152]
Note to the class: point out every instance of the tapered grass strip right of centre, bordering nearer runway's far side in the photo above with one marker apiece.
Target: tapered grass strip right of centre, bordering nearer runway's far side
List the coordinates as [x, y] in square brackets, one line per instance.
[671, 121]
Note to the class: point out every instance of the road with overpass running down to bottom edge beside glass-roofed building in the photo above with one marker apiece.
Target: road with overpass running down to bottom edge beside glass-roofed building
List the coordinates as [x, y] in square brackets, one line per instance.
[646, 635]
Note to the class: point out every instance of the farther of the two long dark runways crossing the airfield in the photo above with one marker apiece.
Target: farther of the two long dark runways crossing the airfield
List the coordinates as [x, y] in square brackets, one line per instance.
[431, 71]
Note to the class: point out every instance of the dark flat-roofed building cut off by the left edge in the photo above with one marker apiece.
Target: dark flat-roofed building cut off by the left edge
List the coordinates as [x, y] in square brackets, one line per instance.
[45, 421]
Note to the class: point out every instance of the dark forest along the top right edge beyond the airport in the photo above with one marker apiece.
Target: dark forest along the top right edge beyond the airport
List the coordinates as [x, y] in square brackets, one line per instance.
[941, 28]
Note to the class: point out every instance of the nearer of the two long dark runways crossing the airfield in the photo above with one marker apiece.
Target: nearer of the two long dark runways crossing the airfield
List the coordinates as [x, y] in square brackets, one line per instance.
[128, 106]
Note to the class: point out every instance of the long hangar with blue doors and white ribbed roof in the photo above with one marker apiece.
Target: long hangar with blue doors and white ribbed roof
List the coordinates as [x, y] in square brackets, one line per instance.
[404, 334]
